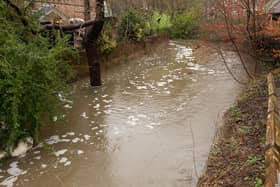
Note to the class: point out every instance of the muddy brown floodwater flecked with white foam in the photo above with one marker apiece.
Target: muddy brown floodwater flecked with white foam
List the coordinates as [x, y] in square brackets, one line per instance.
[151, 124]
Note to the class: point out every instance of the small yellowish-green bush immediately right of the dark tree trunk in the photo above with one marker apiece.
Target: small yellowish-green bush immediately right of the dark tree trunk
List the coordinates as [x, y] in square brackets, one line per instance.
[106, 41]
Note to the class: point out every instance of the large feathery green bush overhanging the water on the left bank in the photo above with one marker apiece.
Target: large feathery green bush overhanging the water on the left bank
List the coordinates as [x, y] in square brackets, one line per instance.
[33, 71]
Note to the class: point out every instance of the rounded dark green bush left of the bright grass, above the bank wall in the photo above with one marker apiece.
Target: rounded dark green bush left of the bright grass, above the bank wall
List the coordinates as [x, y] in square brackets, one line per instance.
[133, 27]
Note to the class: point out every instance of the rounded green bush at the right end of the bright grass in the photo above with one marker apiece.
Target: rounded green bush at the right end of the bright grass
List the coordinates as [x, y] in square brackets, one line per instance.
[185, 25]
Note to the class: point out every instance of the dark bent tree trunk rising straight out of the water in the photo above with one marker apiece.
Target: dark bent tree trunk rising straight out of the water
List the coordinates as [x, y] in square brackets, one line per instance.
[92, 34]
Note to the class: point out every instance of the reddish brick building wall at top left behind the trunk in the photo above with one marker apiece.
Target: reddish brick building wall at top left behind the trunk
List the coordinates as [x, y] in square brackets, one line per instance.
[70, 8]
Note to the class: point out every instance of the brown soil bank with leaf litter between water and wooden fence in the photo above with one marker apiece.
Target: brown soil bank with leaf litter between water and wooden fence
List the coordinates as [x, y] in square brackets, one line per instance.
[237, 156]
